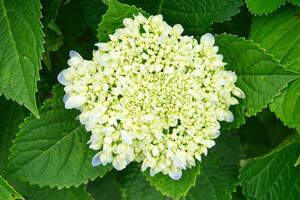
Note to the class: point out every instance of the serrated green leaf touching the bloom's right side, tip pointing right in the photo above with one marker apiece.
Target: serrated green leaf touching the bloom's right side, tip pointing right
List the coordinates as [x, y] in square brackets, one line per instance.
[260, 76]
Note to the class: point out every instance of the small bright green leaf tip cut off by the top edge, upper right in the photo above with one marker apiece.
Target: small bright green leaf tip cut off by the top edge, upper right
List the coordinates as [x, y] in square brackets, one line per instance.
[259, 7]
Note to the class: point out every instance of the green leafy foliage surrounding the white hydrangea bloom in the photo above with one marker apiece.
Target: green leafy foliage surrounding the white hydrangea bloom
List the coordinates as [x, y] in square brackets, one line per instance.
[44, 154]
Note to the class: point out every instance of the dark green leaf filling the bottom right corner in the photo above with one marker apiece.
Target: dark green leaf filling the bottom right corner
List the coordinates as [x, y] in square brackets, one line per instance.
[273, 176]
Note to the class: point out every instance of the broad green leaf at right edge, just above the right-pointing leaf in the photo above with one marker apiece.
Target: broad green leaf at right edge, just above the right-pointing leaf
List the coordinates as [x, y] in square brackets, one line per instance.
[278, 33]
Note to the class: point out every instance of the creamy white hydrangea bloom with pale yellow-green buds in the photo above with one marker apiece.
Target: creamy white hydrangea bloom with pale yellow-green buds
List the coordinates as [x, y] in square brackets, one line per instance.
[151, 95]
